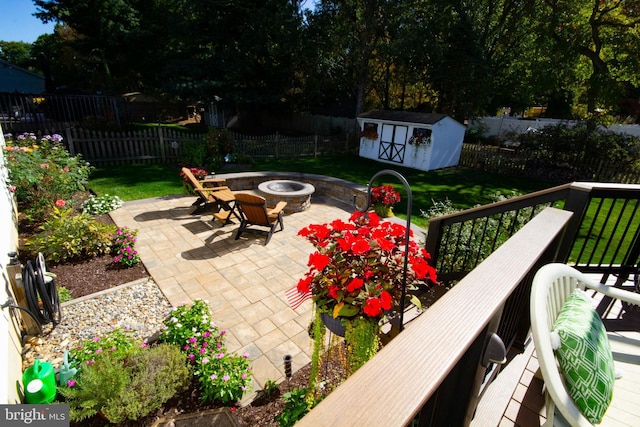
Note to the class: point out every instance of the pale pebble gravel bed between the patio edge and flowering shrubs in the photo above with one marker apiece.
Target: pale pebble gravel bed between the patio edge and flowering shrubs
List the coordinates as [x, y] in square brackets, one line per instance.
[139, 306]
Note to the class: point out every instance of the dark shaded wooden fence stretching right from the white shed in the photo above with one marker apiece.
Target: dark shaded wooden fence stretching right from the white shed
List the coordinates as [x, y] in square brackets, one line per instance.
[544, 167]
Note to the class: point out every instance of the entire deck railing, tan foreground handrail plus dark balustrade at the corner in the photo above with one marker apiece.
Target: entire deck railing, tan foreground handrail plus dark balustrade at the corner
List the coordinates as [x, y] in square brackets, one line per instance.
[433, 372]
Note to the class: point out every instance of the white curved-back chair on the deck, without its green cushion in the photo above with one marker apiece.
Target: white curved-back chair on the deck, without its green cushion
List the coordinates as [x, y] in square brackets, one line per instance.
[552, 285]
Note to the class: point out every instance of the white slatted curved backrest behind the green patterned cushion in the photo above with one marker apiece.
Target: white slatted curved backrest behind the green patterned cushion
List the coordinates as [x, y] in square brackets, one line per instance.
[552, 285]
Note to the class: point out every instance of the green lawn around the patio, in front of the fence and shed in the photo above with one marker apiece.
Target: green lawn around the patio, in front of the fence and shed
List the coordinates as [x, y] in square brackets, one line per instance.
[465, 187]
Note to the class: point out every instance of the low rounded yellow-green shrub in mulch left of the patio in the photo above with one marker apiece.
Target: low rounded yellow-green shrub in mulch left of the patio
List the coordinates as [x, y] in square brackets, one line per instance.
[65, 236]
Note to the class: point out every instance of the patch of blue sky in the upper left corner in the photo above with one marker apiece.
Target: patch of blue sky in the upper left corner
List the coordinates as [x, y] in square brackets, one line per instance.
[18, 24]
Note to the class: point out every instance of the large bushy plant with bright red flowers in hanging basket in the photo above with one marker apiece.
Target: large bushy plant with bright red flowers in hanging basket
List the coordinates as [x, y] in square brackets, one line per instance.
[357, 268]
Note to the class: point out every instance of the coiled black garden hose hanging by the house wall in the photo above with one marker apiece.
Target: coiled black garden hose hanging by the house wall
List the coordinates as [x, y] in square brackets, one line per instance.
[41, 294]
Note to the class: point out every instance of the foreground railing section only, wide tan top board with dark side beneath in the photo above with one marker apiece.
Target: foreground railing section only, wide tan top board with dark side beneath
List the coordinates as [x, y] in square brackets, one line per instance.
[432, 372]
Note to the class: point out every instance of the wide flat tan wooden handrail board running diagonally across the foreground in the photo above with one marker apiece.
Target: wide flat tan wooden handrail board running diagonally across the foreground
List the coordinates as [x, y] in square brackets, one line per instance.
[395, 384]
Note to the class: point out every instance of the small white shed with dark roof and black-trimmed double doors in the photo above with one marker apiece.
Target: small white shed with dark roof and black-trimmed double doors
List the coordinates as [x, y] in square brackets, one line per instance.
[416, 140]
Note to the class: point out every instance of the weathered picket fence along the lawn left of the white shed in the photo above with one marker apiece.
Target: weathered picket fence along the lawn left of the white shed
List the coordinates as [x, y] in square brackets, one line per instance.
[162, 145]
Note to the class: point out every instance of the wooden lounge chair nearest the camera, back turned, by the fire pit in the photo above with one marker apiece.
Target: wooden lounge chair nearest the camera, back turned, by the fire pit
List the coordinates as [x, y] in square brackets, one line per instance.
[253, 211]
